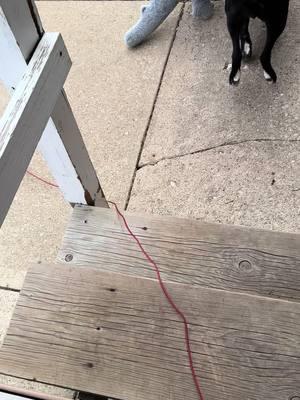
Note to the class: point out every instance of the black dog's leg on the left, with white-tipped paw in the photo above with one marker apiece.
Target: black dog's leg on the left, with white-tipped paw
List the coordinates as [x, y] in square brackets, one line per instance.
[235, 24]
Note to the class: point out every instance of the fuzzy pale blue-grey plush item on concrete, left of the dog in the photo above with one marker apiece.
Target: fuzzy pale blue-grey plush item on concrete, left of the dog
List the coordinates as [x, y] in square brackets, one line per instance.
[153, 14]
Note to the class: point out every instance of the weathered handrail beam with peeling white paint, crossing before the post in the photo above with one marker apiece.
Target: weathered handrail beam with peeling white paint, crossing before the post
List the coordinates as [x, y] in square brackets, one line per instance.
[27, 113]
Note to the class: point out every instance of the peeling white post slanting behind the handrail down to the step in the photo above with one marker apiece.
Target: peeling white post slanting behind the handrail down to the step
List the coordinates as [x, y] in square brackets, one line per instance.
[61, 145]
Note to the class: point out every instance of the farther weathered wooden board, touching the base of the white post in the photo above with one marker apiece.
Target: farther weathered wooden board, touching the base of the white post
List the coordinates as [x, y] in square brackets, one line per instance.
[191, 252]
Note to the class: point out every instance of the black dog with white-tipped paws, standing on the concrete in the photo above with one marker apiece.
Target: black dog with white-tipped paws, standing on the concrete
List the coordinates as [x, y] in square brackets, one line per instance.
[273, 12]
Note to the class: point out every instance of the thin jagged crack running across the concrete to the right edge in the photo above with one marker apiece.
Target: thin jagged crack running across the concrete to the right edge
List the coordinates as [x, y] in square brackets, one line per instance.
[230, 143]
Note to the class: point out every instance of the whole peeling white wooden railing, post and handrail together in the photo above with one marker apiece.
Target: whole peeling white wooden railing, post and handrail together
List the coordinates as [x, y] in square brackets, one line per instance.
[33, 67]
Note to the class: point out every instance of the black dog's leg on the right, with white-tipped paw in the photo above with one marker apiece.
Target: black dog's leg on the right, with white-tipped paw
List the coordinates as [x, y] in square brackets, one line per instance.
[273, 33]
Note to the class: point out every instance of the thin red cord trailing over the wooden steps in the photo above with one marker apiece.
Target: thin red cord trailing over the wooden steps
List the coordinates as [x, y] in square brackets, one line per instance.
[162, 286]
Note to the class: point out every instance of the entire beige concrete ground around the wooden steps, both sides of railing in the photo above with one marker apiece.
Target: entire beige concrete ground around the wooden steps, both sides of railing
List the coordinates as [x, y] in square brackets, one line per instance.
[204, 150]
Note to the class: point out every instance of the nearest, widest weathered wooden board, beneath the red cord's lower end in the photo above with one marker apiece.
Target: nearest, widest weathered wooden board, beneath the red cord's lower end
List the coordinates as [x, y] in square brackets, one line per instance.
[116, 335]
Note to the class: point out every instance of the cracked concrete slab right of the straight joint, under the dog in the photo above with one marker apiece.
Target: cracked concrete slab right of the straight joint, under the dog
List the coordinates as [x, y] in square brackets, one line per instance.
[223, 154]
